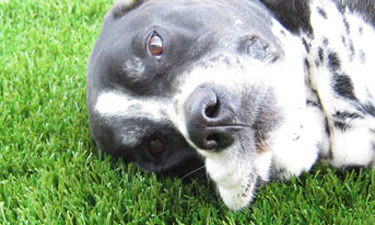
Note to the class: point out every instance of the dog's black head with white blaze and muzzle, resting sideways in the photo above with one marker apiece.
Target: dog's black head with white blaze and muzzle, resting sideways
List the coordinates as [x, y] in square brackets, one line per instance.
[170, 80]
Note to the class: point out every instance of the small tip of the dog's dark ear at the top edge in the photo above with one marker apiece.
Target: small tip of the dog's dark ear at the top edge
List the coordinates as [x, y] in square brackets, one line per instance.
[121, 7]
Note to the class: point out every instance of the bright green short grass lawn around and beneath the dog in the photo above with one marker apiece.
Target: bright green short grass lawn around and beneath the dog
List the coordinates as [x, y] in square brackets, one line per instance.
[50, 174]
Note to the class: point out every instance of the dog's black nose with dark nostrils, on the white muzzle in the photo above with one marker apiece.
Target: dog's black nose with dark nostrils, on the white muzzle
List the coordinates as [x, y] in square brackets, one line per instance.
[210, 119]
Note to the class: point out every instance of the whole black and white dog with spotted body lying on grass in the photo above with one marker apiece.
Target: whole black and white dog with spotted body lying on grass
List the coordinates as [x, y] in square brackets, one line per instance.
[257, 89]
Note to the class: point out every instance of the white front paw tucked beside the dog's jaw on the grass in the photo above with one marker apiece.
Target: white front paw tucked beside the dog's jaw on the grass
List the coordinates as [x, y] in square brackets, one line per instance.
[297, 151]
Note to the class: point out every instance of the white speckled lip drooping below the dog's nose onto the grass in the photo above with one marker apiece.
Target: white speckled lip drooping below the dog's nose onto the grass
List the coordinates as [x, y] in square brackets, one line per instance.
[237, 171]
